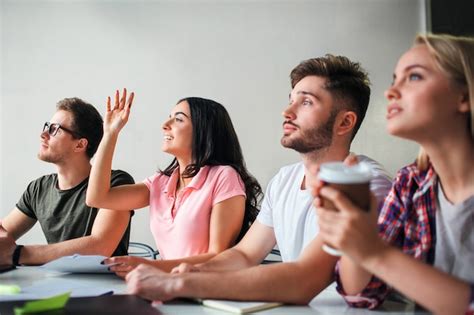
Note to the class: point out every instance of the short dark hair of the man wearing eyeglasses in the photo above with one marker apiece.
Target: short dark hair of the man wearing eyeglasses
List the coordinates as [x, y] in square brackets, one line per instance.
[86, 122]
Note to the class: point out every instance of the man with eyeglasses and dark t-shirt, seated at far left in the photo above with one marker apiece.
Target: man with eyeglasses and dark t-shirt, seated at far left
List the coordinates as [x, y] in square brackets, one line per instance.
[57, 201]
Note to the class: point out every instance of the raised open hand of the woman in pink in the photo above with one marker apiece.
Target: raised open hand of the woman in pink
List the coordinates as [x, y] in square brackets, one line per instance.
[117, 117]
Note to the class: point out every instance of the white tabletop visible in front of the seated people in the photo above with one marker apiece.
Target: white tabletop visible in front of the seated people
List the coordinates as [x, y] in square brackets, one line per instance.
[328, 302]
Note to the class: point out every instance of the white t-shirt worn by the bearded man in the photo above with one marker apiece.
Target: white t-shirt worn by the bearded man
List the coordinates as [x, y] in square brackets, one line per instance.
[289, 210]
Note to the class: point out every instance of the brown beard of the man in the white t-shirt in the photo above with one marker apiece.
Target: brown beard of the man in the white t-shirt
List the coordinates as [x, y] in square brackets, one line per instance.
[312, 140]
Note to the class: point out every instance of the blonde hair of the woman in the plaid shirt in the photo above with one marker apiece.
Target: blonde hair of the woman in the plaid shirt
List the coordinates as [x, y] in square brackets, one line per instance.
[455, 57]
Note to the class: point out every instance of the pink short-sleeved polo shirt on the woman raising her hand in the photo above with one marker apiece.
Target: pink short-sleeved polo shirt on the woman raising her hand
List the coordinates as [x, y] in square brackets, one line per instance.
[185, 231]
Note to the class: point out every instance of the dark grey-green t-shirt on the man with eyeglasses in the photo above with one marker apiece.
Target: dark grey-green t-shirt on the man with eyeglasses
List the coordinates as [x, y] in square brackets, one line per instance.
[63, 214]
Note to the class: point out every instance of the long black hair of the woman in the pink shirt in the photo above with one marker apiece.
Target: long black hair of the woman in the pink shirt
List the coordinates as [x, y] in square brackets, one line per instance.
[215, 143]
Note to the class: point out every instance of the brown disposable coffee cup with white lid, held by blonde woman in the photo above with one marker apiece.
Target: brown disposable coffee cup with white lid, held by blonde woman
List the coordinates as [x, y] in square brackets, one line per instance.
[353, 181]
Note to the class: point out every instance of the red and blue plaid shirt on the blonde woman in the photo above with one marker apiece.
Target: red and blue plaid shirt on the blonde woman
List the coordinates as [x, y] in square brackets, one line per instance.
[406, 221]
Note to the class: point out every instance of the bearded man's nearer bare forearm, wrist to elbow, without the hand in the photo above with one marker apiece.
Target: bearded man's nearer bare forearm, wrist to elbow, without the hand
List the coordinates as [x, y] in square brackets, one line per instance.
[281, 282]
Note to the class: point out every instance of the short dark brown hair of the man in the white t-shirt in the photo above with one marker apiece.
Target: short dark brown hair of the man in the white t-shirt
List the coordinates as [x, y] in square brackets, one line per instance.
[346, 80]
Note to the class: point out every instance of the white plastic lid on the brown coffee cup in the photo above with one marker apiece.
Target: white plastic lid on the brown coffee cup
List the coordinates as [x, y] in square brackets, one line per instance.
[339, 173]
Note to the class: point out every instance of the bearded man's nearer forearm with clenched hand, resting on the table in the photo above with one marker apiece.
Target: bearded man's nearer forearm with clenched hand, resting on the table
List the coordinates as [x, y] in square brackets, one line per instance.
[296, 282]
